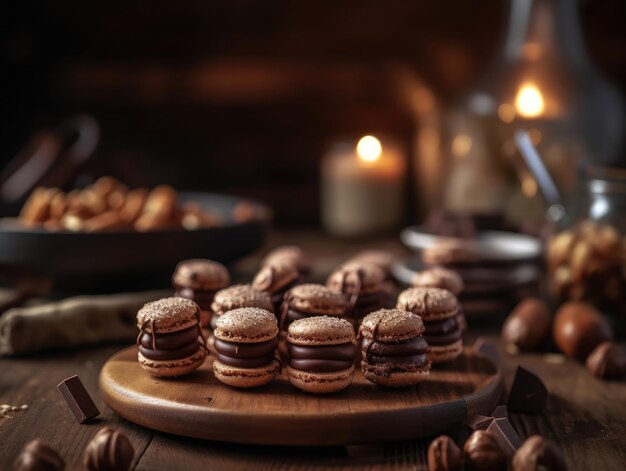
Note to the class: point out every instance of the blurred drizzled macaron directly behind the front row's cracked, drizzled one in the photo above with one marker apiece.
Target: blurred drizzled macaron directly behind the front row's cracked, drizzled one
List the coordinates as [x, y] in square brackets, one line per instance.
[365, 286]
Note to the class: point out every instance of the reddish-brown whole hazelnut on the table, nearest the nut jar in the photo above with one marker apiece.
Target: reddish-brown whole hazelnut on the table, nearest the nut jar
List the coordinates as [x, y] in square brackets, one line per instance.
[579, 328]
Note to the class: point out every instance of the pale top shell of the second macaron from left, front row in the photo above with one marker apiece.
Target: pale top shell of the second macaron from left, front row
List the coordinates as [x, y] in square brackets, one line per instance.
[246, 325]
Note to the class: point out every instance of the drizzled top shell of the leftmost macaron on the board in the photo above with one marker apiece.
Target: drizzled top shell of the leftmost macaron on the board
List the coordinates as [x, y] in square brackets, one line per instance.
[168, 315]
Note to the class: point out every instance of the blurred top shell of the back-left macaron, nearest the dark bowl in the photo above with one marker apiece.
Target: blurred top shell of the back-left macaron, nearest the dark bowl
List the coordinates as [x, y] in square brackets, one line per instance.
[200, 274]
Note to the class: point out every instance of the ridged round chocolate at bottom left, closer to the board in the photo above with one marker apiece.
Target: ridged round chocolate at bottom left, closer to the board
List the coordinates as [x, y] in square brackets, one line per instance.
[109, 450]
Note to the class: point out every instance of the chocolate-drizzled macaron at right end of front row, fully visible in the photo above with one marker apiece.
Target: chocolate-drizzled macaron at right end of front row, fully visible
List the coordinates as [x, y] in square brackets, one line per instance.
[394, 352]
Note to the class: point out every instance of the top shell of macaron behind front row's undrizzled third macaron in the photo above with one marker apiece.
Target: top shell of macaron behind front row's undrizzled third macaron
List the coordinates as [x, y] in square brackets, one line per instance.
[317, 300]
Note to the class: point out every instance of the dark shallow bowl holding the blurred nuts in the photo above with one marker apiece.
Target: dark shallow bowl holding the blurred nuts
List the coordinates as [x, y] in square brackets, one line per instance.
[105, 261]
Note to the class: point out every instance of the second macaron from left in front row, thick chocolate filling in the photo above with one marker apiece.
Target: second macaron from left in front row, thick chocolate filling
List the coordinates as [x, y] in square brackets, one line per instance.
[245, 342]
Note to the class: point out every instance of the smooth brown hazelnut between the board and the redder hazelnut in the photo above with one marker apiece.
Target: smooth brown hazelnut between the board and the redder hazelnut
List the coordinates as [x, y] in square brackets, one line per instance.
[528, 326]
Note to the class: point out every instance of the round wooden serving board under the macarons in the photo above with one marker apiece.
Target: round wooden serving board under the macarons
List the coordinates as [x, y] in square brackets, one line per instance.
[199, 406]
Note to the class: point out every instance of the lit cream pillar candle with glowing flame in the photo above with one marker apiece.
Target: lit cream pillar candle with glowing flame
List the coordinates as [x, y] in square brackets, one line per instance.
[363, 187]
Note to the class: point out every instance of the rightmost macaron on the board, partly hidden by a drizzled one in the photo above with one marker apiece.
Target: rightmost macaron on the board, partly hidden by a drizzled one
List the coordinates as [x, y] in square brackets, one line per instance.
[439, 309]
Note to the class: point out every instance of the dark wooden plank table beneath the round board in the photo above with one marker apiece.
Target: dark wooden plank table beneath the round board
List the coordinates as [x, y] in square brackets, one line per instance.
[585, 416]
